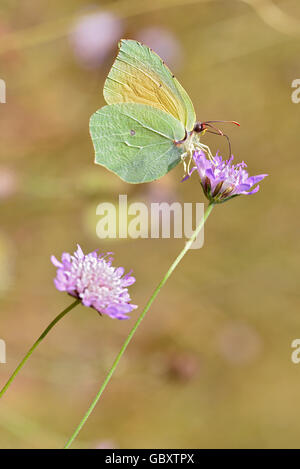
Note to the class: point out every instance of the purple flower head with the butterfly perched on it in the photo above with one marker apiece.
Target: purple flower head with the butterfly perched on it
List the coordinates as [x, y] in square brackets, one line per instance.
[221, 180]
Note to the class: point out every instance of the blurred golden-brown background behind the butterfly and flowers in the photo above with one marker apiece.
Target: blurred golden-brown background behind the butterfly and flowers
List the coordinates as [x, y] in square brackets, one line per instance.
[211, 365]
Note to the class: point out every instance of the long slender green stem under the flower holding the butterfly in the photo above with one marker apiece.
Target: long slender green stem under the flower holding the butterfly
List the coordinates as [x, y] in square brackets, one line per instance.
[138, 322]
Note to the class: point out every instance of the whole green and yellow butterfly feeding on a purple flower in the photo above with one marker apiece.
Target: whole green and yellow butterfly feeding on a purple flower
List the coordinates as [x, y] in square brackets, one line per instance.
[149, 124]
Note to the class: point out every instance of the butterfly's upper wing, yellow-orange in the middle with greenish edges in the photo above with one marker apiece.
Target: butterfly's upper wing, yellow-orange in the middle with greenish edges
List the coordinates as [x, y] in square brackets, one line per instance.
[138, 75]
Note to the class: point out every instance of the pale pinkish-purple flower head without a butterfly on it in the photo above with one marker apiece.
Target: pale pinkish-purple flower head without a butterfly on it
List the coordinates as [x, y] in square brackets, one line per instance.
[94, 280]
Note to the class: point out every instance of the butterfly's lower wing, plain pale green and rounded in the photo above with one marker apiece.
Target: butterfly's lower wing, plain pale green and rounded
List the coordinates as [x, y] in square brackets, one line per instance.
[136, 141]
